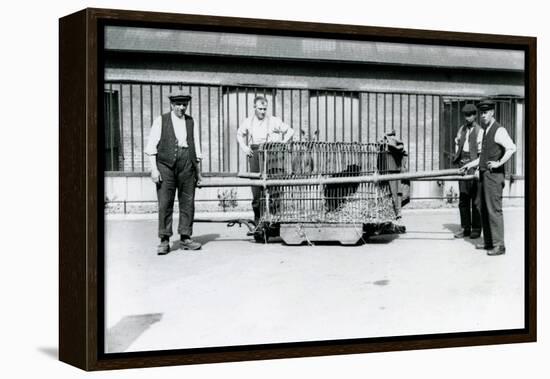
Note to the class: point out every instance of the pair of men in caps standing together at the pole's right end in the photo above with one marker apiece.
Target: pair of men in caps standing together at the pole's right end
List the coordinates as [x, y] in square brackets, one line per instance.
[482, 151]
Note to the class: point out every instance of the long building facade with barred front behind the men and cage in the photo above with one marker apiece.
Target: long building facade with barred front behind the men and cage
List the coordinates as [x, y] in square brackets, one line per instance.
[349, 91]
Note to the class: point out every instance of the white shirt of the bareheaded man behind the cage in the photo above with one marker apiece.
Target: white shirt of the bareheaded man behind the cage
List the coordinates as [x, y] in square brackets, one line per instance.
[270, 129]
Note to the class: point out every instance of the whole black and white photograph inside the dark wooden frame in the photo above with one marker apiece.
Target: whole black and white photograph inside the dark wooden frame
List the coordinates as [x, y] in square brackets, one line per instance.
[268, 189]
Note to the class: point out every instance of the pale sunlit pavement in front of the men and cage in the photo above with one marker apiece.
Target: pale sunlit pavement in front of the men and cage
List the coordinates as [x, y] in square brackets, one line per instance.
[236, 292]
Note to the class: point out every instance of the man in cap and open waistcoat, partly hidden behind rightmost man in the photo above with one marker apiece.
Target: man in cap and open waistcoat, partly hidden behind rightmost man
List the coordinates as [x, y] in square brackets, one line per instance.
[467, 147]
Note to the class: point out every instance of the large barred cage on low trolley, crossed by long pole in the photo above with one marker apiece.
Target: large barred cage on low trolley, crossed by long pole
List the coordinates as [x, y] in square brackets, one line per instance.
[327, 203]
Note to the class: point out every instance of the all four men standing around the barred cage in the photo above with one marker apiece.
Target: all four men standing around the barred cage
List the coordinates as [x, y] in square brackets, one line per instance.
[175, 154]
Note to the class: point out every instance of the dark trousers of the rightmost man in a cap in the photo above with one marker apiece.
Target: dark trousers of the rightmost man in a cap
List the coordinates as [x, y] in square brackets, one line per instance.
[490, 200]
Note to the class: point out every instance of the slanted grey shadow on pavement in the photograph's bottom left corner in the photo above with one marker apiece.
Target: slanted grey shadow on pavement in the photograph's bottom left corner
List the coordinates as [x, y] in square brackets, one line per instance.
[126, 331]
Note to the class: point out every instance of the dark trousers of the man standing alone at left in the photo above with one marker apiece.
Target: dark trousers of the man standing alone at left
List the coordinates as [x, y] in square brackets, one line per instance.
[181, 178]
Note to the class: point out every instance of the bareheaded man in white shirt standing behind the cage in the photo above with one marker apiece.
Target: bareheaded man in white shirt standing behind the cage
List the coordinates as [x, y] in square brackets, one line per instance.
[254, 130]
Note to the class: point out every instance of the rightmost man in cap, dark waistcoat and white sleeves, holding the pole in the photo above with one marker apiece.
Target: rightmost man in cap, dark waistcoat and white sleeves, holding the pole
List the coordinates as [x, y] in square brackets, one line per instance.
[496, 149]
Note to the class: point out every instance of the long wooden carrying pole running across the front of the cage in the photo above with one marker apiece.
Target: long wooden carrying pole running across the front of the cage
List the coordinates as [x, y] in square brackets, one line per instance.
[375, 178]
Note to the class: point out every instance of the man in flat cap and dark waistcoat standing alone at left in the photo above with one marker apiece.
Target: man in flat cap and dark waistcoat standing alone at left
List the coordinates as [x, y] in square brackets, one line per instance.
[174, 153]
